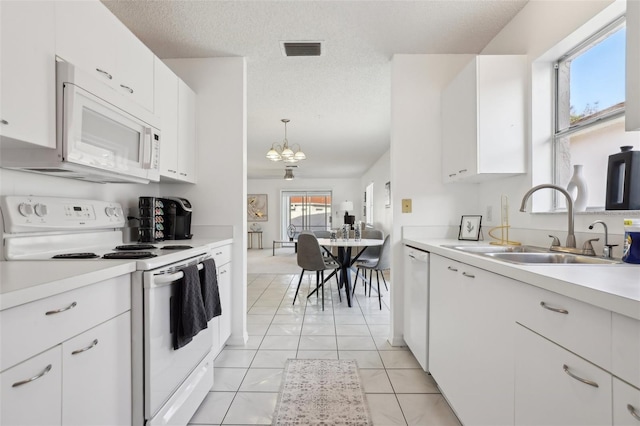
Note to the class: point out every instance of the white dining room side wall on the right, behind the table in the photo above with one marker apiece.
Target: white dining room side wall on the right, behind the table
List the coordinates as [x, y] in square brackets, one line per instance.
[379, 174]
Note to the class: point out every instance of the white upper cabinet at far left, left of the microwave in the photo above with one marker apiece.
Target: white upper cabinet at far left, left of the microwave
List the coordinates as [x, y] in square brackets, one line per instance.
[27, 72]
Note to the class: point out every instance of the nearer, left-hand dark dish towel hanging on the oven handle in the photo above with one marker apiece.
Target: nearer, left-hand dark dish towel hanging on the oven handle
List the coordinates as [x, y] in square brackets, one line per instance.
[190, 315]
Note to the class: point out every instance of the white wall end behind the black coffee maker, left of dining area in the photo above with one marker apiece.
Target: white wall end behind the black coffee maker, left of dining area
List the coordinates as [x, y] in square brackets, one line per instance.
[219, 197]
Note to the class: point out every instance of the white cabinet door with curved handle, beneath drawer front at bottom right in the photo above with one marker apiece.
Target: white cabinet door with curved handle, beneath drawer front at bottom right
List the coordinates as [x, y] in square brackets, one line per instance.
[556, 387]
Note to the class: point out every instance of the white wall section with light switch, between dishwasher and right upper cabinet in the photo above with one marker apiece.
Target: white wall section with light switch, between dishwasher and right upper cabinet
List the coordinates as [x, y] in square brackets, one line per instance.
[416, 166]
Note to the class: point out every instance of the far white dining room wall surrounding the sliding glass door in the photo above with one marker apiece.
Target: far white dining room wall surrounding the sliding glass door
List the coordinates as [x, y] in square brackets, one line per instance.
[342, 189]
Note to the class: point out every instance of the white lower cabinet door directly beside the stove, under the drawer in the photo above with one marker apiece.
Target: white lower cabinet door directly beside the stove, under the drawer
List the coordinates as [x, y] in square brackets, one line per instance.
[98, 363]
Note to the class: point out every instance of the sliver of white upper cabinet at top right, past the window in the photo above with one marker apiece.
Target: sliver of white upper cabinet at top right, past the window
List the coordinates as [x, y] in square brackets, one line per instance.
[632, 102]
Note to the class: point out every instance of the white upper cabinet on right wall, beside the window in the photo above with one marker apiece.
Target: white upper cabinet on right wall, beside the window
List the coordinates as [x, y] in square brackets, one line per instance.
[483, 120]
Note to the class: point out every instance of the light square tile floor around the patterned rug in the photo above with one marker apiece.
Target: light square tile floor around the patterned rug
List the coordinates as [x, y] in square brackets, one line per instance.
[247, 378]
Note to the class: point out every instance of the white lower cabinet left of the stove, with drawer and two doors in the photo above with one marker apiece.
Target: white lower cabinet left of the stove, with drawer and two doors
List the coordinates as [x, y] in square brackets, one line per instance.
[66, 359]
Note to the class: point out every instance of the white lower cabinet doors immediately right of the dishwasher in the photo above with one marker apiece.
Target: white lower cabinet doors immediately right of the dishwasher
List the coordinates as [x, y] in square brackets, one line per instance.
[471, 340]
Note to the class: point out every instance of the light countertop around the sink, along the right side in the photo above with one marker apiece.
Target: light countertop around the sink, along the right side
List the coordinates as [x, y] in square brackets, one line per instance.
[612, 287]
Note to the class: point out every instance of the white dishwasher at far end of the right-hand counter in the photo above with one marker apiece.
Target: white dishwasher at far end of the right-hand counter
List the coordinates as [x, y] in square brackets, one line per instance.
[416, 303]
